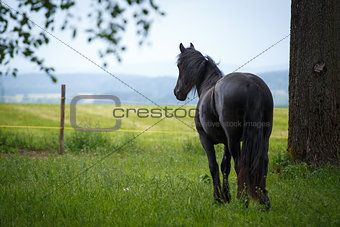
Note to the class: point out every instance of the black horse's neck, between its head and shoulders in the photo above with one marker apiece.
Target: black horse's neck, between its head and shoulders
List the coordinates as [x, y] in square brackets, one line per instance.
[211, 76]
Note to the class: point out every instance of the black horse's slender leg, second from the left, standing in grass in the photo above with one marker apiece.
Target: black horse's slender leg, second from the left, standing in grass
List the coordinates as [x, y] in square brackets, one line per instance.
[225, 168]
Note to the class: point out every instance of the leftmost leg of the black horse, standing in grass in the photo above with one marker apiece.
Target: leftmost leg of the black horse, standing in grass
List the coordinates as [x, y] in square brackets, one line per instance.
[213, 166]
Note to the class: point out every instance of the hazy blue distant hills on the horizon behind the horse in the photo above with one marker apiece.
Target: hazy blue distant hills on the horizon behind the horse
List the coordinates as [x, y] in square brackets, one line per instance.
[158, 89]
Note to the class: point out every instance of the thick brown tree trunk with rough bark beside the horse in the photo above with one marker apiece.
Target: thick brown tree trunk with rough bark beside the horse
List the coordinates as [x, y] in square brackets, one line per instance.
[314, 81]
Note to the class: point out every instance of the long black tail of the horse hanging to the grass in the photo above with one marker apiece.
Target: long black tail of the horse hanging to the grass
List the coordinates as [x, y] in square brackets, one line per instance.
[253, 157]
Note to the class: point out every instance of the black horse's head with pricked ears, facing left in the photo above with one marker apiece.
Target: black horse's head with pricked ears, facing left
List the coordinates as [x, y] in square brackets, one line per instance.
[187, 67]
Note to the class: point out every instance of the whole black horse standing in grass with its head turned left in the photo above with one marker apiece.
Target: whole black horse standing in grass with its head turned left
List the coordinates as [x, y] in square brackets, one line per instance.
[232, 108]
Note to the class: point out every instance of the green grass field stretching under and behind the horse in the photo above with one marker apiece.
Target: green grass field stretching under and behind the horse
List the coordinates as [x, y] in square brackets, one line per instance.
[129, 178]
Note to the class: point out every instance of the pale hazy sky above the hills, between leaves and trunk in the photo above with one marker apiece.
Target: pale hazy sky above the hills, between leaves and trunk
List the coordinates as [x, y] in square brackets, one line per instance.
[231, 32]
